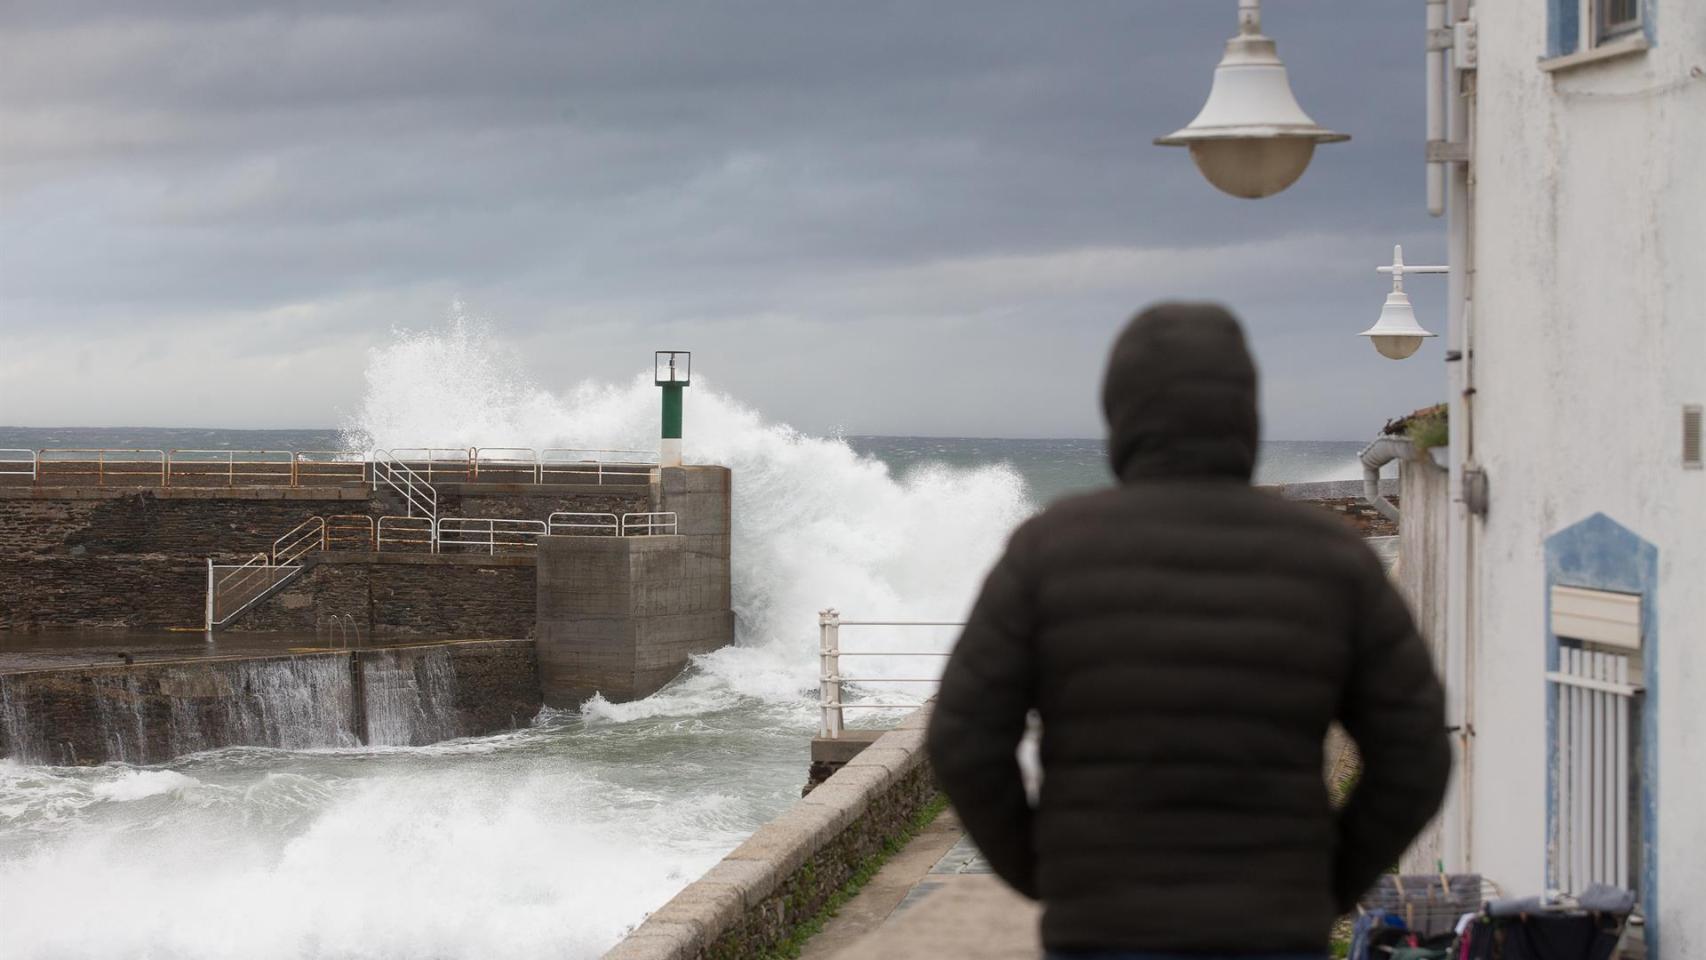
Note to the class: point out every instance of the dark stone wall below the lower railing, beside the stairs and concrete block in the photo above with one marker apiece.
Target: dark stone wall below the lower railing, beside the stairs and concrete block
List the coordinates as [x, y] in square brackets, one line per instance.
[436, 596]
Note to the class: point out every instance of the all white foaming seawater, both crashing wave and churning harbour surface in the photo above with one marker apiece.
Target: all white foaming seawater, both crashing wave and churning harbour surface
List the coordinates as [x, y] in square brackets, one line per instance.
[545, 843]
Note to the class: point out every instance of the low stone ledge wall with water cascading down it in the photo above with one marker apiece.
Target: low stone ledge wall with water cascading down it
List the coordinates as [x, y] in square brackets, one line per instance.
[149, 714]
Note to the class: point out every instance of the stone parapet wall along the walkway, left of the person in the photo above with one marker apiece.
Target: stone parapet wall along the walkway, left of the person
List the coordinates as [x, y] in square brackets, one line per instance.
[787, 872]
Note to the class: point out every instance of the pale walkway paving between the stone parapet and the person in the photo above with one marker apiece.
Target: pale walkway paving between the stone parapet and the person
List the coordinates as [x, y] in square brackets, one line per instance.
[934, 901]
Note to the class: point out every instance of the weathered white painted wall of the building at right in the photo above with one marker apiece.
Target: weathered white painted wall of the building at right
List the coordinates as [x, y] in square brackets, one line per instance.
[1591, 335]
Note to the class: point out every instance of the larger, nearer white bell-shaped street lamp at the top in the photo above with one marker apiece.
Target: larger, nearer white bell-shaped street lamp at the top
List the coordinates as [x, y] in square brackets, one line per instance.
[1251, 137]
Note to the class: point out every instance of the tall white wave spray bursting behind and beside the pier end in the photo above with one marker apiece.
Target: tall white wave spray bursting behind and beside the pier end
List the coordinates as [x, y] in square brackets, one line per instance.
[815, 524]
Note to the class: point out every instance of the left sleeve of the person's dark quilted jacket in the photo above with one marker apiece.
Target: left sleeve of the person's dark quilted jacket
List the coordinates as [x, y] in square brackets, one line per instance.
[987, 693]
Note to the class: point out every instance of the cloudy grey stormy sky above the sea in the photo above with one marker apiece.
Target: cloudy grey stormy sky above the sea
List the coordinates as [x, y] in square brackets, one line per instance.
[878, 217]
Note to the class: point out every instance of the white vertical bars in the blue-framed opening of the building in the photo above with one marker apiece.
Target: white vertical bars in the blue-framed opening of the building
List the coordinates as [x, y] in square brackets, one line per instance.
[1598, 744]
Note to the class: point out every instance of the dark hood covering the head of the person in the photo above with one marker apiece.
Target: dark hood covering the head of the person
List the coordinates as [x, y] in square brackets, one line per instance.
[1180, 396]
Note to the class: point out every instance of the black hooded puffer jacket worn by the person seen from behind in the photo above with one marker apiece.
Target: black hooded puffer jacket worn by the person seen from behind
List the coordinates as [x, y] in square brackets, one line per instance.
[1188, 640]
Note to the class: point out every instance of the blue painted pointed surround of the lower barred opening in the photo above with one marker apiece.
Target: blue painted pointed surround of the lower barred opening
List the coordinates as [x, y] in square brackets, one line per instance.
[1603, 555]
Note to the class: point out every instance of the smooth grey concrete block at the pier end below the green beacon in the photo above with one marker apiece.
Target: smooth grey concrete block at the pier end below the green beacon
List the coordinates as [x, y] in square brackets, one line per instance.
[624, 616]
